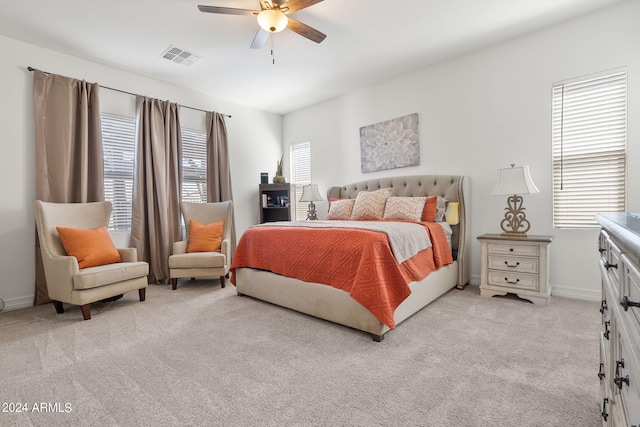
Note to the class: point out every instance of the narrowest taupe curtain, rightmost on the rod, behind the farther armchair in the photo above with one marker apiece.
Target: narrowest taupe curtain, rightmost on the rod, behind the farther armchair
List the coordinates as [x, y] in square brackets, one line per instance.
[218, 170]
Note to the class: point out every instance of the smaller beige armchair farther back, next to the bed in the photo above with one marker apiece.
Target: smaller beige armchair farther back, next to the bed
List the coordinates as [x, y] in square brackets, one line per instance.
[203, 264]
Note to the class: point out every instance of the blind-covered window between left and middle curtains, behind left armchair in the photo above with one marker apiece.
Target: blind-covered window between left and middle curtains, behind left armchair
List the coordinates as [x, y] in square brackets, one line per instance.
[118, 136]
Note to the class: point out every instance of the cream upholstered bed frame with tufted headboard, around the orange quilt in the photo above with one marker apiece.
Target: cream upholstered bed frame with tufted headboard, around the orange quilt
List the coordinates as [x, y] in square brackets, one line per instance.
[337, 305]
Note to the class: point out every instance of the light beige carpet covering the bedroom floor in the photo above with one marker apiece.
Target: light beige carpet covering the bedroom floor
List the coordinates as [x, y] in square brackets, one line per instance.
[202, 355]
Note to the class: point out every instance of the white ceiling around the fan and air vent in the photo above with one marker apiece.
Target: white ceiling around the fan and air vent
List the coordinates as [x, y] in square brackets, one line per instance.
[368, 41]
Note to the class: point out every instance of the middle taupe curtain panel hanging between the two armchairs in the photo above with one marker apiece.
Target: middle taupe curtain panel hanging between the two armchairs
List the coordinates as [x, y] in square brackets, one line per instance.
[155, 221]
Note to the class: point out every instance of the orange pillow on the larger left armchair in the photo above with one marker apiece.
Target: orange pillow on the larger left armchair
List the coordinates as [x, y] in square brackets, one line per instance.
[90, 247]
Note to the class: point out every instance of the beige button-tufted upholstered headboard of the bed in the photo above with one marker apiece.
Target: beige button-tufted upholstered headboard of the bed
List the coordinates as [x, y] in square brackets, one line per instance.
[454, 188]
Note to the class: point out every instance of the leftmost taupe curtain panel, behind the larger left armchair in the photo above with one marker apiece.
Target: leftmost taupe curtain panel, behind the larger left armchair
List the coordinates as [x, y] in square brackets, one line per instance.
[69, 165]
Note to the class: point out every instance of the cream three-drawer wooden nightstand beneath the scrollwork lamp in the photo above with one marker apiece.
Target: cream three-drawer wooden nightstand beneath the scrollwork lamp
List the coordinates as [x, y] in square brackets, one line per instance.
[516, 265]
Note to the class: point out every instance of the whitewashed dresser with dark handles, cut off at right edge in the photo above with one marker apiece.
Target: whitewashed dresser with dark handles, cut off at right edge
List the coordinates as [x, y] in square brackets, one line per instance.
[619, 371]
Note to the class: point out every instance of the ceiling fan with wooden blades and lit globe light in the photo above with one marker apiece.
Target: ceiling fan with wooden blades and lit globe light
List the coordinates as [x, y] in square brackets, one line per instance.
[273, 18]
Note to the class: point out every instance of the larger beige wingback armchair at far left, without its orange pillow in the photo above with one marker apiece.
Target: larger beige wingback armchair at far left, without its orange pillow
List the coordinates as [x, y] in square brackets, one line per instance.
[66, 282]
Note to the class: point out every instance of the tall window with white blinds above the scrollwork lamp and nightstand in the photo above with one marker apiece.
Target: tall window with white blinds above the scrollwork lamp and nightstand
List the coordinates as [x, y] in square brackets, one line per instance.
[589, 148]
